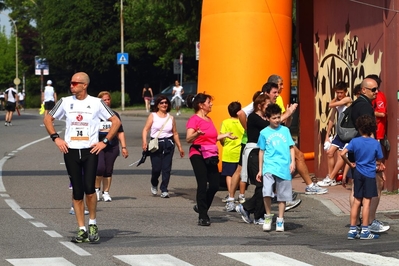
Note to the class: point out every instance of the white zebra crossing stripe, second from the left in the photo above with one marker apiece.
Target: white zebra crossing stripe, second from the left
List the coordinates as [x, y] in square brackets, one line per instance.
[156, 259]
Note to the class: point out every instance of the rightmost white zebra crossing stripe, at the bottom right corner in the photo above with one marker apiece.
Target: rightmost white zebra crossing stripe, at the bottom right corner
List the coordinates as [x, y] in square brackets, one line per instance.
[366, 258]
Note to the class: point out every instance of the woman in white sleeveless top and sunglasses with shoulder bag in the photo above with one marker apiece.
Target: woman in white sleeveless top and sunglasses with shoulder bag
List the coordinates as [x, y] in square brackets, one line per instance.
[163, 127]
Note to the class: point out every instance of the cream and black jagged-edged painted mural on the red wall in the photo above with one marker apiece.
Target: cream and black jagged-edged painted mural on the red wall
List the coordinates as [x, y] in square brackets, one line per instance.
[347, 59]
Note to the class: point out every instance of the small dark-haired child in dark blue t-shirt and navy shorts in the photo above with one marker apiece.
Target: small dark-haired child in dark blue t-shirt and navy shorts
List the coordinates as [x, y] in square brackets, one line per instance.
[368, 156]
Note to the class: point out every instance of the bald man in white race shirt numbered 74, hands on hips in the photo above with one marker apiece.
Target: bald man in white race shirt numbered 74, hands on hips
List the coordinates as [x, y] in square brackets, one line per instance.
[81, 147]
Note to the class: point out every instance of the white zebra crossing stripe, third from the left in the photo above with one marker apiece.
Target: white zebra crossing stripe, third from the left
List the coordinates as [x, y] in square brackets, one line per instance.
[260, 258]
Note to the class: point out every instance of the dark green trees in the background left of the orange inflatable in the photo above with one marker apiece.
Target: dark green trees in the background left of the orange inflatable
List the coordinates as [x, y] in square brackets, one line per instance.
[84, 35]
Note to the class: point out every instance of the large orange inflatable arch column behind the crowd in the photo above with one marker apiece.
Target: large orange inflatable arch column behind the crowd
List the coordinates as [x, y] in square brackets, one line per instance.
[242, 44]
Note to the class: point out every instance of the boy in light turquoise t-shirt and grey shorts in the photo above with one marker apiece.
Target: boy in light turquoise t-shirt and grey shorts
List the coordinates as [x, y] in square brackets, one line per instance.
[276, 165]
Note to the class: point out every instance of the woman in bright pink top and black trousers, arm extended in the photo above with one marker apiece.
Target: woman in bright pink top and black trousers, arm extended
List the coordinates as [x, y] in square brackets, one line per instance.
[203, 153]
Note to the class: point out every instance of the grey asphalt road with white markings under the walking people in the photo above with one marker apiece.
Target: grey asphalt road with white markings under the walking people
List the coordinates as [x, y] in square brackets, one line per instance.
[36, 227]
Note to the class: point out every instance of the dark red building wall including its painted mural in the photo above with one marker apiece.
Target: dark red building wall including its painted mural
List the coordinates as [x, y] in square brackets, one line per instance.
[350, 41]
